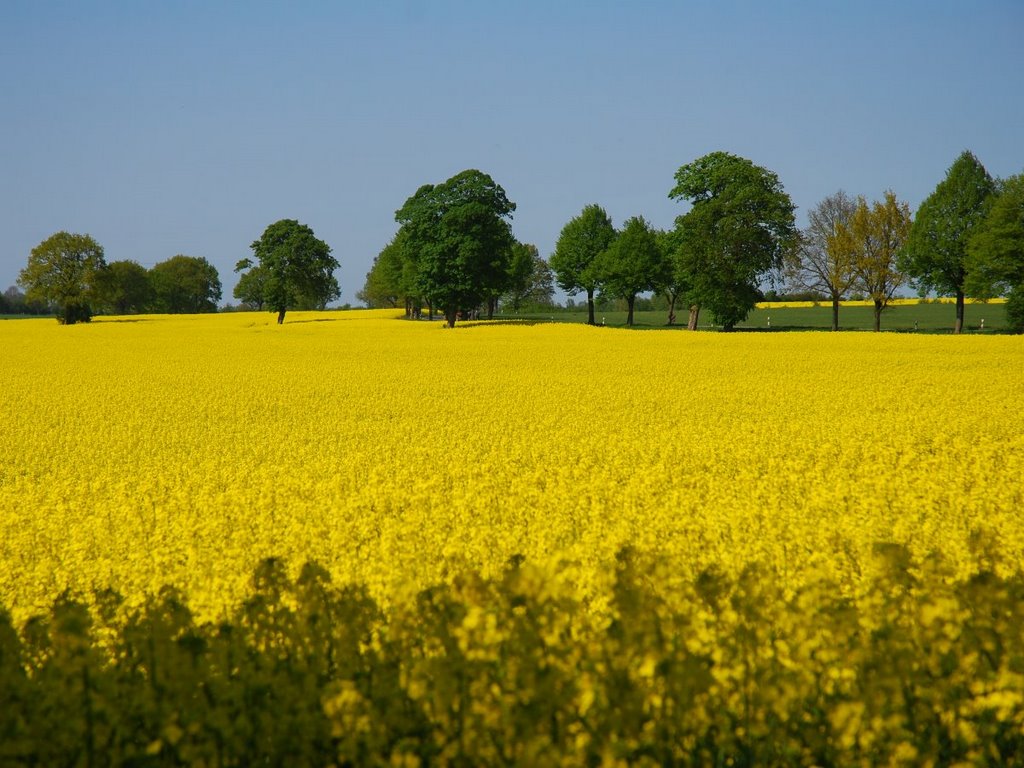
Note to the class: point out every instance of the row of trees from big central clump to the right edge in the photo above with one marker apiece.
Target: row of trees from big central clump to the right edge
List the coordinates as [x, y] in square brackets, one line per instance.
[455, 251]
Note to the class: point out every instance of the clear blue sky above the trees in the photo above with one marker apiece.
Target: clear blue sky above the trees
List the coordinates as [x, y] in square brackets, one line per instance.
[190, 126]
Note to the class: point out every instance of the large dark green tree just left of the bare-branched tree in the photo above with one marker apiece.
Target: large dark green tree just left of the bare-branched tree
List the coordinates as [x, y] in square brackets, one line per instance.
[738, 231]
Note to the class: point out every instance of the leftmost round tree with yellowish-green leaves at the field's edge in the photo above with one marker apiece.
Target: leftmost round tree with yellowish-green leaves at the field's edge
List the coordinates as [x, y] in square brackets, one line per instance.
[62, 272]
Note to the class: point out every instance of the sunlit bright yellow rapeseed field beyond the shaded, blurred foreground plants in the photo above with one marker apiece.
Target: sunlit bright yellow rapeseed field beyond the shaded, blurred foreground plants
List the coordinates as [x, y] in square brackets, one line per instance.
[140, 452]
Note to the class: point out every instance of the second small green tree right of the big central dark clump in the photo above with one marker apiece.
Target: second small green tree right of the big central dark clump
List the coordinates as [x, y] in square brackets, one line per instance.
[633, 264]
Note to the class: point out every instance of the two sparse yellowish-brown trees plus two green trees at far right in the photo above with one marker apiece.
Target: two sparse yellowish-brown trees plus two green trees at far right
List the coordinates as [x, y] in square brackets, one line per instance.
[966, 239]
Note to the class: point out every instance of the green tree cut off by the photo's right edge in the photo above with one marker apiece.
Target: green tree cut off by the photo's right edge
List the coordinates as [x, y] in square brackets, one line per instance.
[996, 251]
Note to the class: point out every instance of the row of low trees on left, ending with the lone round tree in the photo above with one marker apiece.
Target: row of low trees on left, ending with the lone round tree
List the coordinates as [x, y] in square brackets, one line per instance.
[68, 276]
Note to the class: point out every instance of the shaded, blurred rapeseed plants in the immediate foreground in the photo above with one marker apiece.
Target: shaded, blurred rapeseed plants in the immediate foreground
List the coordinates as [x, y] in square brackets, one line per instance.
[514, 670]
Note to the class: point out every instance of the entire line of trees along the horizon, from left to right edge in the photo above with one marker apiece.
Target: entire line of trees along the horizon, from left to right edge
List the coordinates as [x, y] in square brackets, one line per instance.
[455, 253]
